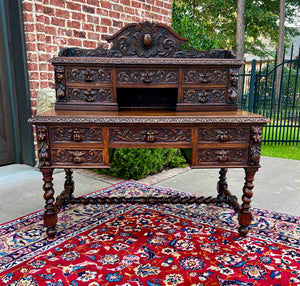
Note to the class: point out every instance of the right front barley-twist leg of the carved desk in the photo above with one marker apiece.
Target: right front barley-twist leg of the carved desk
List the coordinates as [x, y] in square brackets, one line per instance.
[245, 216]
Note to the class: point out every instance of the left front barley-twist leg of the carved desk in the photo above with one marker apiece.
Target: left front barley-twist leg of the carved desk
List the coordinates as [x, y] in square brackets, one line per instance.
[50, 216]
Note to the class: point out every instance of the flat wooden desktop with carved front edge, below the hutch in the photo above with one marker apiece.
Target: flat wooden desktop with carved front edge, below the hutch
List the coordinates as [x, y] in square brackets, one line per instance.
[147, 116]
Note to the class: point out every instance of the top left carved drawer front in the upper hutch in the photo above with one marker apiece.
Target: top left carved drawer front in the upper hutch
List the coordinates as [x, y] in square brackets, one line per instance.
[95, 75]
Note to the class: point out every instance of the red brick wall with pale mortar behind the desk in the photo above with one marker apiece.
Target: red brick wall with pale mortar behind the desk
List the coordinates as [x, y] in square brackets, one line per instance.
[53, 24]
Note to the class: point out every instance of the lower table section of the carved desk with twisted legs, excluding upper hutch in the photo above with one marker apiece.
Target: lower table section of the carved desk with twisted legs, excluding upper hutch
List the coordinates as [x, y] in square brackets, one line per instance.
[68, 139]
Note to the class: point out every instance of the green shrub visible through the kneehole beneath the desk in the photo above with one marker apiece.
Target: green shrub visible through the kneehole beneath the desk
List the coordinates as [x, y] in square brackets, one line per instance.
[140, 163]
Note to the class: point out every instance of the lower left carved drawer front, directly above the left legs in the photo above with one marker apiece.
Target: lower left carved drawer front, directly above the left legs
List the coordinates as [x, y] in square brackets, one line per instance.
[80, 156]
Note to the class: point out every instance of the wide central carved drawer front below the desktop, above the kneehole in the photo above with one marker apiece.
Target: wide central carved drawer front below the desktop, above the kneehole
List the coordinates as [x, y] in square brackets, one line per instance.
[149, 135]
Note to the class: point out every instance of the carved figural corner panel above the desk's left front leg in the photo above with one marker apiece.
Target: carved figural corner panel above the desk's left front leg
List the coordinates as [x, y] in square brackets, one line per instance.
[43, 146]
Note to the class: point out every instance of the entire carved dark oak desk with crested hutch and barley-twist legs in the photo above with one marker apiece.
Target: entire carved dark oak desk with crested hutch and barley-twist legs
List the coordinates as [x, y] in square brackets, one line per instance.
[146, 92]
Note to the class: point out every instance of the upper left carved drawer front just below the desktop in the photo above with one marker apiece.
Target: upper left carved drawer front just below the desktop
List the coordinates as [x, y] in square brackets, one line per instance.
[76, 134]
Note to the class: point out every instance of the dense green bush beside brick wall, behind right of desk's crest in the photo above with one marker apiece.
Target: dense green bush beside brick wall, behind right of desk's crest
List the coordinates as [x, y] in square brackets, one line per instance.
[183, 24]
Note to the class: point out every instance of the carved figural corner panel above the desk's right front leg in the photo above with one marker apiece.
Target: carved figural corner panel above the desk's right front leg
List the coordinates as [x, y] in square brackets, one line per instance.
[255, 145]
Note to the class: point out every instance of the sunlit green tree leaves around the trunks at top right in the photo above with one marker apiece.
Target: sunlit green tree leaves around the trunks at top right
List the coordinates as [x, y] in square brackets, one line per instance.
[217, 19]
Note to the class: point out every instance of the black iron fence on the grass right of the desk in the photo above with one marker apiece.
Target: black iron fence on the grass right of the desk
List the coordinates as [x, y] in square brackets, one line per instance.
[272, 88]
